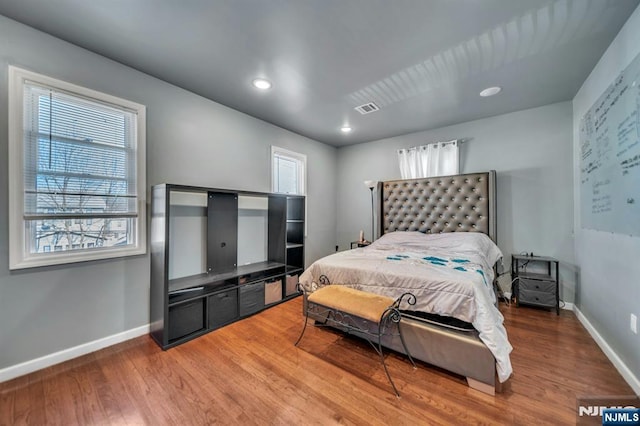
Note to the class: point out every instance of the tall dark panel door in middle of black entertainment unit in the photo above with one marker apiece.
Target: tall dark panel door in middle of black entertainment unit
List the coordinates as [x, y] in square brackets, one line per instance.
[222, 231]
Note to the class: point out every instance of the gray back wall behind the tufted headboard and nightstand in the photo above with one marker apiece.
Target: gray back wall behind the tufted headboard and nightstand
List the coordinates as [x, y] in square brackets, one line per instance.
[531, 151]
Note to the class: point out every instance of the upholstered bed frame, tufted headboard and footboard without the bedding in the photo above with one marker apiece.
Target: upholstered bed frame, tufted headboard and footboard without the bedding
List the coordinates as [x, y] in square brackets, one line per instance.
[460, 203]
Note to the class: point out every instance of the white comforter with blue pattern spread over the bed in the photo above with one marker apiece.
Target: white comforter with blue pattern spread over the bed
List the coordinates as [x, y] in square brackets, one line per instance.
[450, 274]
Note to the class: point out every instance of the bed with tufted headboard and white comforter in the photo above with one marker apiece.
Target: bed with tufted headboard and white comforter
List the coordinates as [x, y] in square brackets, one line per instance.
[437, 241]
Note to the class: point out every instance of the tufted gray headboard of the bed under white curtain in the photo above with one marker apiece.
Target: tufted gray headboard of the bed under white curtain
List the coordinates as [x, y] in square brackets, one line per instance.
[460, 203]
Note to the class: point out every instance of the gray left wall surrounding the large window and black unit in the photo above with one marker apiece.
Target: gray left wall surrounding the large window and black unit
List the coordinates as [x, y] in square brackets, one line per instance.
[190, 140]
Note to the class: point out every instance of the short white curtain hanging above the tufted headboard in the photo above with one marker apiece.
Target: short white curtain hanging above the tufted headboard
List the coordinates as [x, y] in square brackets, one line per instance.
[434, 159]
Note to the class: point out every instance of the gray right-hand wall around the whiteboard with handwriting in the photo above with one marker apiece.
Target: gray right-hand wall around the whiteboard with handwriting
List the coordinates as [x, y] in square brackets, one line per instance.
[609, 285]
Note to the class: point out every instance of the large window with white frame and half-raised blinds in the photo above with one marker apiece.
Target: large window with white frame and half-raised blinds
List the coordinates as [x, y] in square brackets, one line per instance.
[77, 173]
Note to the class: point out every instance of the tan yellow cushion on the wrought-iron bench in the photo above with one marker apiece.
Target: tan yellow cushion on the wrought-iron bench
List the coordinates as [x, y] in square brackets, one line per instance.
[358, 303]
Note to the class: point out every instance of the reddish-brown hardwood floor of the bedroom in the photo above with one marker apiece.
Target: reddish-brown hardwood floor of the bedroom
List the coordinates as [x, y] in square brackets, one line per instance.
[250, 373]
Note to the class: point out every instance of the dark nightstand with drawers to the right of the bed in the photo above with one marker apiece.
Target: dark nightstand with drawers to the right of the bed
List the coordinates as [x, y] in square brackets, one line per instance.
[536, 281]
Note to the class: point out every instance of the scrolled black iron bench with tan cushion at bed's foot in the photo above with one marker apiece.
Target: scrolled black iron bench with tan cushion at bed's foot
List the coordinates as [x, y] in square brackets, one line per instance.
[351, 310]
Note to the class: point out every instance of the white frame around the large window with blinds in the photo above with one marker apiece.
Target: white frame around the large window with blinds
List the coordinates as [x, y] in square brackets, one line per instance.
[19, 255]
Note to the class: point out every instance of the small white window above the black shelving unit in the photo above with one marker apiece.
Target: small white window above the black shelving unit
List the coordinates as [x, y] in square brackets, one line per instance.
[288, 172]
